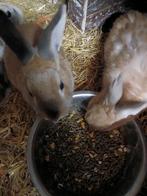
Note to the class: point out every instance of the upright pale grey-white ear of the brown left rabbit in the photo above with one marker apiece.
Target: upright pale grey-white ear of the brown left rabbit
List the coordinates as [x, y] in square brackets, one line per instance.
[51, 38]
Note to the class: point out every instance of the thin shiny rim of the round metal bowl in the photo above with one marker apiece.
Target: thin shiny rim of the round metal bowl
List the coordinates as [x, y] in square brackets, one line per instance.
[35, 176]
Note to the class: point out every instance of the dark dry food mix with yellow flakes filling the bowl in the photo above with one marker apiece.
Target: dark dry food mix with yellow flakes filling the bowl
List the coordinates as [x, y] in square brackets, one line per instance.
[76, 159]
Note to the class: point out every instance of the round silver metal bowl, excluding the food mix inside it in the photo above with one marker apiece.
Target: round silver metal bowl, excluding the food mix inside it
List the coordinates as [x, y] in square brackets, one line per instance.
[133, 173]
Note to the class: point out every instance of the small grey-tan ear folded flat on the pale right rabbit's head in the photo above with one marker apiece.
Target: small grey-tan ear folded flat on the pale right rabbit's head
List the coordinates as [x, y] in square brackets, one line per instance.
[115, 90]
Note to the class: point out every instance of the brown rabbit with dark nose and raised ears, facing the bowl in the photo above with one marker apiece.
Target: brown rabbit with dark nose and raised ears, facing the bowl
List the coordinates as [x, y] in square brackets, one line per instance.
[36, 66]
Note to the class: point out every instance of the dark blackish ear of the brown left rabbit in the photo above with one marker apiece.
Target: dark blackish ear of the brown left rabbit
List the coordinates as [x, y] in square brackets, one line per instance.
[13, 38]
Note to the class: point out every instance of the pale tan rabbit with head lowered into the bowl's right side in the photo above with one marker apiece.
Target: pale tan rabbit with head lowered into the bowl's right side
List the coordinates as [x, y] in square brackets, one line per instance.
[124, 92]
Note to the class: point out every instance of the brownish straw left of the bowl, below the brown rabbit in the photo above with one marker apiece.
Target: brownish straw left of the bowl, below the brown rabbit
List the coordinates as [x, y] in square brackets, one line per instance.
[14, 128]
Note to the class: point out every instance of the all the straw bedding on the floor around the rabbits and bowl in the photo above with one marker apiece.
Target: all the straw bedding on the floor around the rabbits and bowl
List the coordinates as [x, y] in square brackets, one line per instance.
[16, 117]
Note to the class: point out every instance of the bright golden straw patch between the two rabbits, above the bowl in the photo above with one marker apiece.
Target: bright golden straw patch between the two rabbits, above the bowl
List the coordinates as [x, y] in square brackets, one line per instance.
[82, 51]
